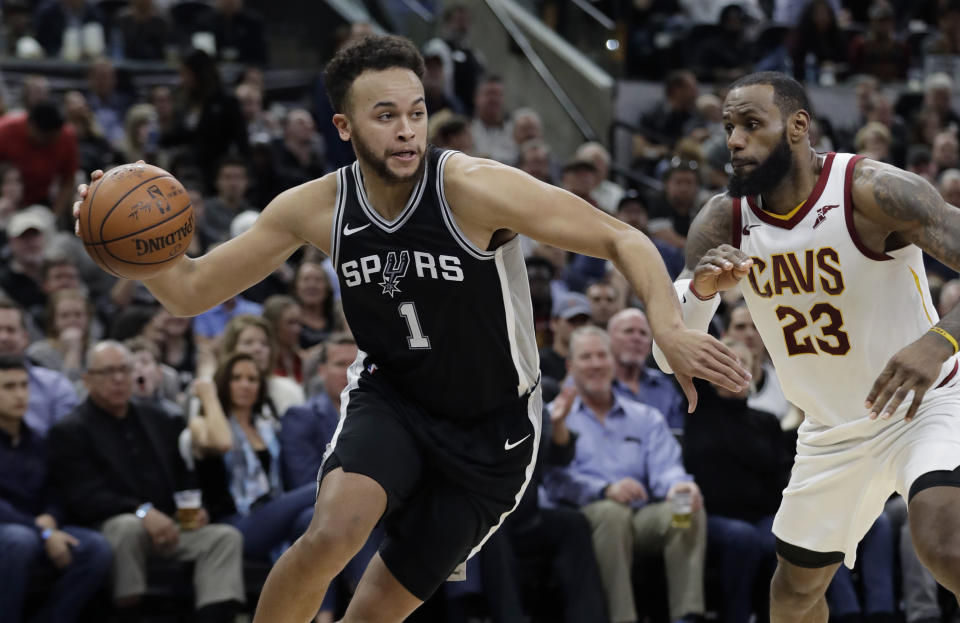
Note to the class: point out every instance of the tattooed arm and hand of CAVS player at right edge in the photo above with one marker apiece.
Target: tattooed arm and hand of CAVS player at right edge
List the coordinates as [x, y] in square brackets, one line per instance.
[895, 205]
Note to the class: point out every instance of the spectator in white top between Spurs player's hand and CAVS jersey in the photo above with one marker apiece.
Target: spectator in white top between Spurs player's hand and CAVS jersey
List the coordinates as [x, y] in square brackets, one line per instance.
[766, 393]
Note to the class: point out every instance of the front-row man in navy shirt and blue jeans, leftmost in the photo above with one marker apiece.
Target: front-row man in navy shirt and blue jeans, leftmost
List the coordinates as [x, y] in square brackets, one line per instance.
[33, 537]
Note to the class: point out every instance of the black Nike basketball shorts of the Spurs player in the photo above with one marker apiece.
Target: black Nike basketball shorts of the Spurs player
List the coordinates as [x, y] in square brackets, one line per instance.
[449, 483]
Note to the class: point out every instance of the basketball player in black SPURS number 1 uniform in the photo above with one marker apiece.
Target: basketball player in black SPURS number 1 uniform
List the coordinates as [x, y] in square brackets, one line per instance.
[440, 420]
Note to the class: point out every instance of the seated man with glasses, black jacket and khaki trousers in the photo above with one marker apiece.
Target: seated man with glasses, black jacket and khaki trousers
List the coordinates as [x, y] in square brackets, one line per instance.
[115, 464]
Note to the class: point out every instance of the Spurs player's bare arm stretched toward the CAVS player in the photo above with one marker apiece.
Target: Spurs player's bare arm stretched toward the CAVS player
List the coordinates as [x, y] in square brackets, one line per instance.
[489, 197]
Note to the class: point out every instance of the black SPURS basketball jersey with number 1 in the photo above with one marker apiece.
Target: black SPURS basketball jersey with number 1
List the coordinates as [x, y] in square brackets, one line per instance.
[449, 324]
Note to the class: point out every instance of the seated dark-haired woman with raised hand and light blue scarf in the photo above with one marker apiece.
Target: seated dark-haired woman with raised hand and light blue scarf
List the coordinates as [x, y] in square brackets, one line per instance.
[234, 444]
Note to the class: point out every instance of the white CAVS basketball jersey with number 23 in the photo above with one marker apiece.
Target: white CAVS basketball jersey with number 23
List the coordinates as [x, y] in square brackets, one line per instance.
[831, 312]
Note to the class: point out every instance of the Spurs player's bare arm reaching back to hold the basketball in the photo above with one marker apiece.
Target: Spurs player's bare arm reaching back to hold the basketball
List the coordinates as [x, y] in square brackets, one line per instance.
[193, 285]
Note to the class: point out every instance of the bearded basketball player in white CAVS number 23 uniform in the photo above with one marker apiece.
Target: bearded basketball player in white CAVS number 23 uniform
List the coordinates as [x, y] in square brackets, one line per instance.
[827, 251]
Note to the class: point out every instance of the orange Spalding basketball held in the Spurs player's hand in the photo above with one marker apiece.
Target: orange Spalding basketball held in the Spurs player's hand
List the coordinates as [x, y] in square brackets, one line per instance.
[136, 220]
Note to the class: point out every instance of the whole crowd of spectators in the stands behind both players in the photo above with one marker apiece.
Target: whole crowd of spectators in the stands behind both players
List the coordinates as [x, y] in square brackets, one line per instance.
[111, 408]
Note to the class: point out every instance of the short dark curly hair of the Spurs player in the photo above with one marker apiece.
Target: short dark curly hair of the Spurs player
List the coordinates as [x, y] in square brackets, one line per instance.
[373, 53]
